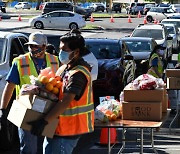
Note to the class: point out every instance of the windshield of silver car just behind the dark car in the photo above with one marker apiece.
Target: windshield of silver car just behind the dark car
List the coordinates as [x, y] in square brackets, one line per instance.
[138, 46]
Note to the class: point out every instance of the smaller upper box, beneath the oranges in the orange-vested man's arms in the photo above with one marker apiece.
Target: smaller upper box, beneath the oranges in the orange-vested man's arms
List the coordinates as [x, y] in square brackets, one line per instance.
[36, 103]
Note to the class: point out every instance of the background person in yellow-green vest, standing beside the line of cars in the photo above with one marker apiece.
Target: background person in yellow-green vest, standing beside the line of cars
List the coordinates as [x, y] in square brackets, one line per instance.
[156, 63]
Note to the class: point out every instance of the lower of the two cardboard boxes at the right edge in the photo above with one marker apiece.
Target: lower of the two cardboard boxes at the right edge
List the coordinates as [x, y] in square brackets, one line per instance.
[173, 83]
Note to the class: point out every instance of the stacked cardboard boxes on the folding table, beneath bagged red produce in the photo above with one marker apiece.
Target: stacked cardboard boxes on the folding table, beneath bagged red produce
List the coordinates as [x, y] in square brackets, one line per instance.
[146, 105]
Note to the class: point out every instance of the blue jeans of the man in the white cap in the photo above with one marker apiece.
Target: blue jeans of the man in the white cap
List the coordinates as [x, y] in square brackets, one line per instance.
[28, 142]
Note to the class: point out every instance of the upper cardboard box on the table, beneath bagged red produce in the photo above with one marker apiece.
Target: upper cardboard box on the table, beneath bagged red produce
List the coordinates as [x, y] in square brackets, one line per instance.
[143, 95]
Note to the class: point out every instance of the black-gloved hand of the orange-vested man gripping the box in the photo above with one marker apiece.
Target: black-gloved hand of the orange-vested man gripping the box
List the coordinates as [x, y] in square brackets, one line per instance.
[38, 126]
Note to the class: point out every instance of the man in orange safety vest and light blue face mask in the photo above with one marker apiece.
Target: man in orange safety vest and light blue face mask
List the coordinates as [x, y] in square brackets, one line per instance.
[75, 109]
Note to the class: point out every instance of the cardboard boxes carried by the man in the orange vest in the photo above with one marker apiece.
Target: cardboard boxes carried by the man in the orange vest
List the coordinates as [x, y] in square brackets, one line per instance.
[28, 108]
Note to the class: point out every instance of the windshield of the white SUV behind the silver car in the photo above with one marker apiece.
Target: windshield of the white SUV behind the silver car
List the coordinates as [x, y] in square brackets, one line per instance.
[152, 33]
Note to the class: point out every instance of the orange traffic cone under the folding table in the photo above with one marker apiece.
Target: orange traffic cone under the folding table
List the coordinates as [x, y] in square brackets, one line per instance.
[104, 136]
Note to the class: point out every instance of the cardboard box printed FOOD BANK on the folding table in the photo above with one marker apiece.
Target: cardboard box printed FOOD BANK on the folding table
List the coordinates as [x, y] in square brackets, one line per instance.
[145, 111]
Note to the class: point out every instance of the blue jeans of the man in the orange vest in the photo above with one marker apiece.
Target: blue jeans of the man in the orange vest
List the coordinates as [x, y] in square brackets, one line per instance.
[59, 145]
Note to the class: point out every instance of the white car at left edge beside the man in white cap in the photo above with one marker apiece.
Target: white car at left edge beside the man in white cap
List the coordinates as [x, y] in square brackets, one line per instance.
[11, 45]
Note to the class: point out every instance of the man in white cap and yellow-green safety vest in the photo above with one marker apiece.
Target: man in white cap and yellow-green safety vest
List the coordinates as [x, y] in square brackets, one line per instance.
[23, 66]
